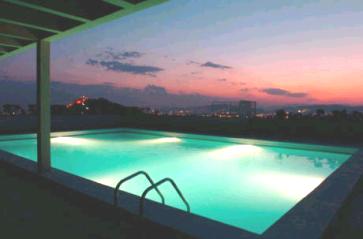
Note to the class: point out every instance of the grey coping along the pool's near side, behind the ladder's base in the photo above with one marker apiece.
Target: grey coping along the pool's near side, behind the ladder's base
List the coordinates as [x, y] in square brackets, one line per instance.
[191, 224]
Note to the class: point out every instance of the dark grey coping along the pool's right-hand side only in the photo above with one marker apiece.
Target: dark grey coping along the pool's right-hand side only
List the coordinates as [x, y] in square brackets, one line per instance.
[311, 217]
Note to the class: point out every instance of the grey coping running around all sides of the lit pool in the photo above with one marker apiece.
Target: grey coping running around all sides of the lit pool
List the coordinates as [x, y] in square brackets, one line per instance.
[309, 218]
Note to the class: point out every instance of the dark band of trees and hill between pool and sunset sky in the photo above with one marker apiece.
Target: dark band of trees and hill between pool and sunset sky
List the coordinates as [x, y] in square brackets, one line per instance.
[336, 127]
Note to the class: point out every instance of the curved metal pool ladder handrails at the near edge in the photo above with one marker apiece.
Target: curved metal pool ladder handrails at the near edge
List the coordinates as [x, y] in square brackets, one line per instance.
[148, 189]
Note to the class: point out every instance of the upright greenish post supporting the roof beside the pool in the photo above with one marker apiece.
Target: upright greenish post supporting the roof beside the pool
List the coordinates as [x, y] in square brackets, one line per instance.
[43, 105]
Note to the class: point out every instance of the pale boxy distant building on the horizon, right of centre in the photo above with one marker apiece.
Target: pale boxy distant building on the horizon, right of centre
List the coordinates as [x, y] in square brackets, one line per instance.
[234, 109]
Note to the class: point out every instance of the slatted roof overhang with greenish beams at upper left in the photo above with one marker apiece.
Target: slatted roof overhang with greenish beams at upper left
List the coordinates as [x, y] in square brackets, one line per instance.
[24, 22]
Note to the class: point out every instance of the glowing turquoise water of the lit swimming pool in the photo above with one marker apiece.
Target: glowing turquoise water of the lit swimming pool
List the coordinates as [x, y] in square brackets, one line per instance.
[244, 185]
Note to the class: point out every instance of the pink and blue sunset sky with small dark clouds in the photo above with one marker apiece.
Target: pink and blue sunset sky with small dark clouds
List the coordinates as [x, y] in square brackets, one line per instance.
[272, 51]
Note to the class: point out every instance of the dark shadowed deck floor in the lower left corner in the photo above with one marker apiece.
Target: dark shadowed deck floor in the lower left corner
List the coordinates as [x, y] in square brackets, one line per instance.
[36, 208]
